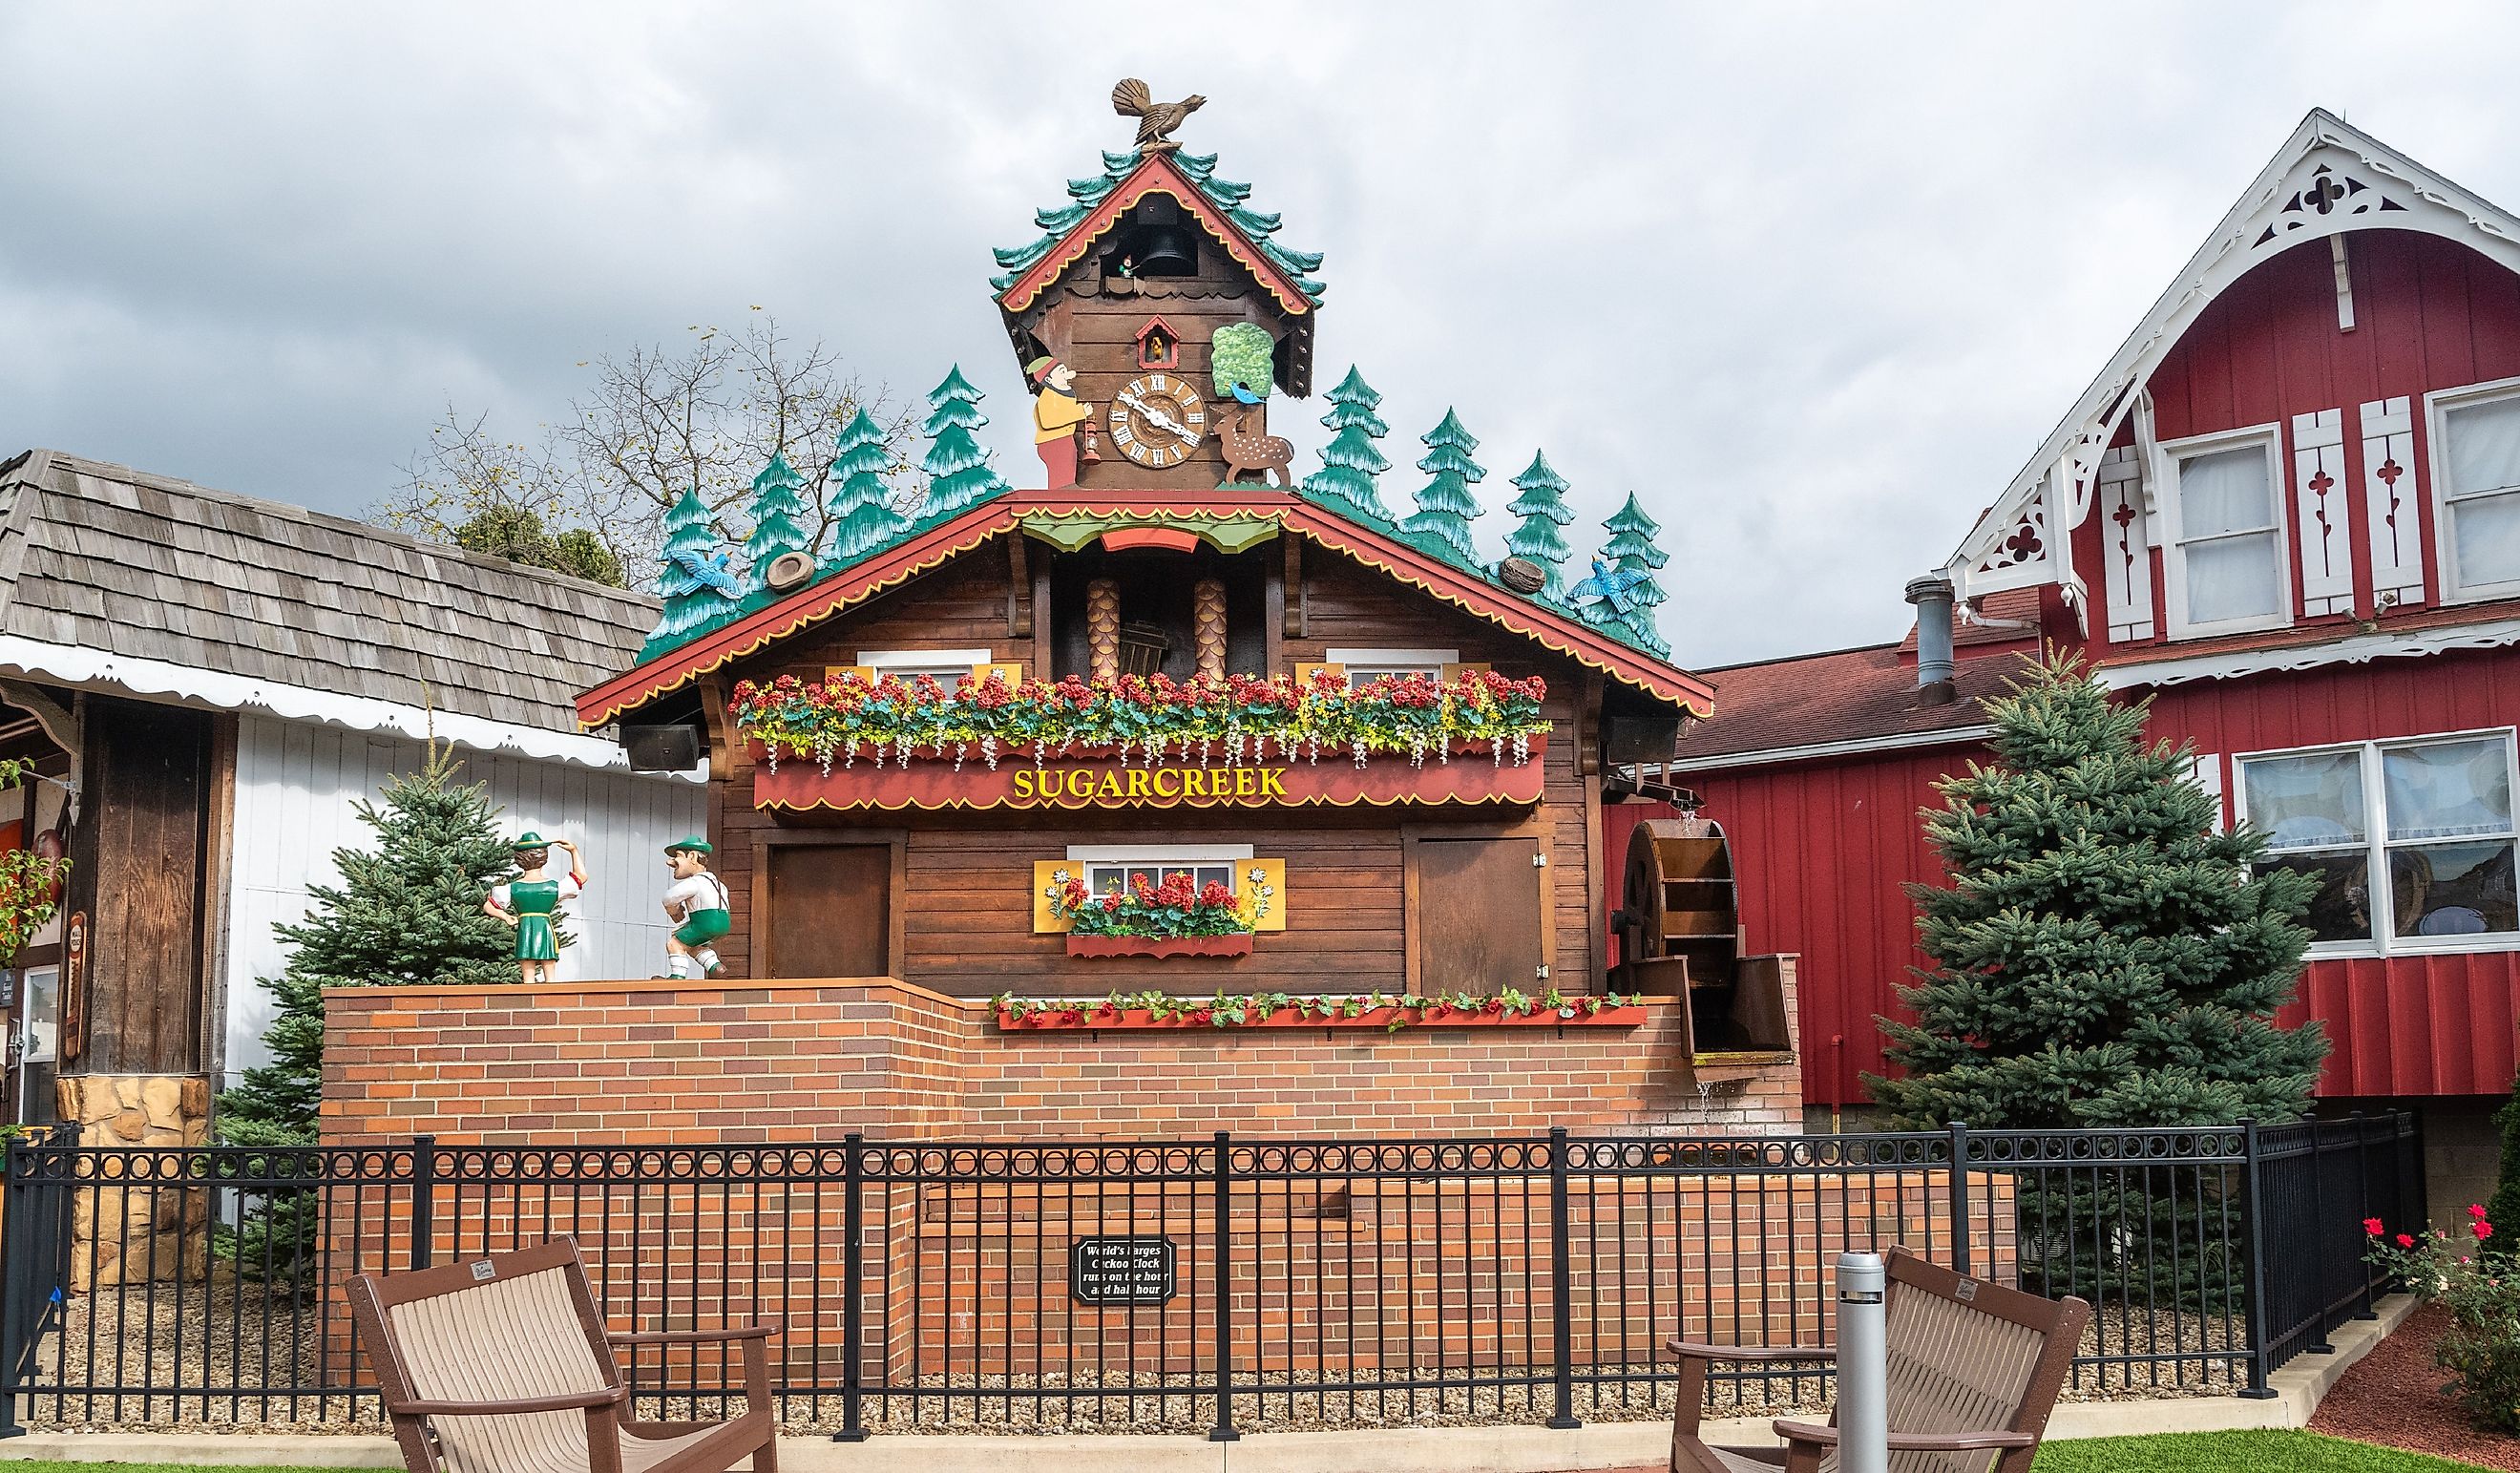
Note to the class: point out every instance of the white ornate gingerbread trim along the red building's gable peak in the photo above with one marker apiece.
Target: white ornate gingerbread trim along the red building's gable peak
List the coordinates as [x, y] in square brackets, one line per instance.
[2325, 183]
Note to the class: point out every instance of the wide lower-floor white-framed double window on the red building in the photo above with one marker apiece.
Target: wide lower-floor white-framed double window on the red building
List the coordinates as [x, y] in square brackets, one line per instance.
[2410, 844]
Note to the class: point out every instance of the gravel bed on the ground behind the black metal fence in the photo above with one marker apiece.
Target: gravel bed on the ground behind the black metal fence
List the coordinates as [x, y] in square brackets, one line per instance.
[137, 1343]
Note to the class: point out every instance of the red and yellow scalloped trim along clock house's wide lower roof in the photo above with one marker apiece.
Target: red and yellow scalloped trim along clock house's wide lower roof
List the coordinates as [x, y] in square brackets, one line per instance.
[1410, 566]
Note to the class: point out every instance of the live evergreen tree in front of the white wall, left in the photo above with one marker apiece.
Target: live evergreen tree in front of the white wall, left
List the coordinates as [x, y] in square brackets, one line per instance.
[407, 912]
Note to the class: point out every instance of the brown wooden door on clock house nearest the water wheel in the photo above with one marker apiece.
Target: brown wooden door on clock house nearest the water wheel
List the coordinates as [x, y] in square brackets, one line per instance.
[1475, 914]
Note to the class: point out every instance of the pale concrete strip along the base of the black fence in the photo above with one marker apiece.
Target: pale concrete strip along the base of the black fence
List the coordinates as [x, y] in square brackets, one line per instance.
[1362, 1452]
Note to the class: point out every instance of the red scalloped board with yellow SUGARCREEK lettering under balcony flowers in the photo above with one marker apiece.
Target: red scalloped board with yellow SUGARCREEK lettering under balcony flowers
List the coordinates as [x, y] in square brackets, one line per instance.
[1095, 783]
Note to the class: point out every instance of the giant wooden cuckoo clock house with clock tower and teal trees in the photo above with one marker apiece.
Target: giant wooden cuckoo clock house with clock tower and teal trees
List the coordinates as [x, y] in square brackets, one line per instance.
[1163, 718]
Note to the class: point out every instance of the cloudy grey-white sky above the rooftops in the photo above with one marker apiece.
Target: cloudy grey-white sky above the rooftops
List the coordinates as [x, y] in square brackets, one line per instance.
[1811, 281]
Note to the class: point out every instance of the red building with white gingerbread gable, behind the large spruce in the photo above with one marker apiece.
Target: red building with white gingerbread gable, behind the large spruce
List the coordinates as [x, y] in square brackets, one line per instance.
[2289, 511]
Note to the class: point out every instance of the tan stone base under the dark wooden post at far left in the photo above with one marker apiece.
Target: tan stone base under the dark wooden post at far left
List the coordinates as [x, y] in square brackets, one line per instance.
[142, 1232]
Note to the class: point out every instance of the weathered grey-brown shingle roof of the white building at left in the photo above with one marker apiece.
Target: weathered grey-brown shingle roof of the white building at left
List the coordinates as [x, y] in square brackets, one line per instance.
[145, 566]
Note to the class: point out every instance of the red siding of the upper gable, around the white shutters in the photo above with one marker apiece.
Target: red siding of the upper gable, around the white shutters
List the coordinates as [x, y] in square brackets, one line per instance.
[2428, 314]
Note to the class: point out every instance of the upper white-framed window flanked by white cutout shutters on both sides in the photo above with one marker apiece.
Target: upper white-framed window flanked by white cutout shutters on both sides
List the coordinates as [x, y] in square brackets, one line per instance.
[2226, 556]
